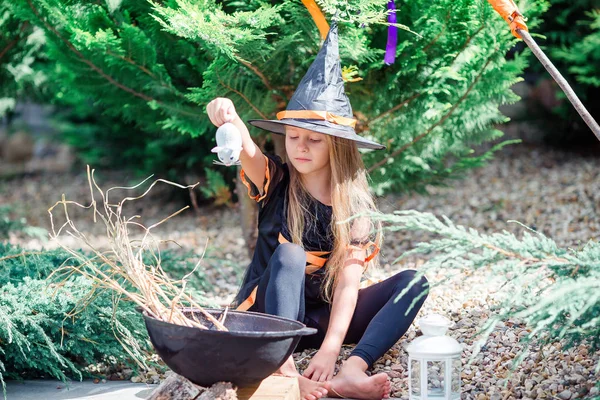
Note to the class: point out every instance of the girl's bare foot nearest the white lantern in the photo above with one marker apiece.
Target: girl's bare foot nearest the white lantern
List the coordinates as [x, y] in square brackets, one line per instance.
[356, 384]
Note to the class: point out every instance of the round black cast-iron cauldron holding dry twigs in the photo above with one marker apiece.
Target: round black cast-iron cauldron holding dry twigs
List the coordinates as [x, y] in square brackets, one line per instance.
[255, 346]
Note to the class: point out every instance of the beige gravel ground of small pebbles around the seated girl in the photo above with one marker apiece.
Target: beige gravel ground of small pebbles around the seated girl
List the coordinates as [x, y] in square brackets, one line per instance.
[556, 193]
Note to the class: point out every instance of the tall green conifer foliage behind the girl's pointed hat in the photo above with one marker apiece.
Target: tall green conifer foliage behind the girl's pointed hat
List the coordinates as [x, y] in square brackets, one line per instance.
[150, 68]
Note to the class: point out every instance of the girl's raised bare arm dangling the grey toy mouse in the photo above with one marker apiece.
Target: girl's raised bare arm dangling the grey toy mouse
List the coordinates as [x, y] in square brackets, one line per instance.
[222, 110]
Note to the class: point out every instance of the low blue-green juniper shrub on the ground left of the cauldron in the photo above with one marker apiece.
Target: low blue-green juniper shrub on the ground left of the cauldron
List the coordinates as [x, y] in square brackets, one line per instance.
[39, 337]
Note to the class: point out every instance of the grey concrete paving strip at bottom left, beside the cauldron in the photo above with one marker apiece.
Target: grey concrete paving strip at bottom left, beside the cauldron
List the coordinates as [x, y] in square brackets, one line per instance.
[86, 390]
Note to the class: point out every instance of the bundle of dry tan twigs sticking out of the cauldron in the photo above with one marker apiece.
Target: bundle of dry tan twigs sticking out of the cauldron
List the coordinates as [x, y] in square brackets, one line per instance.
[122, 268]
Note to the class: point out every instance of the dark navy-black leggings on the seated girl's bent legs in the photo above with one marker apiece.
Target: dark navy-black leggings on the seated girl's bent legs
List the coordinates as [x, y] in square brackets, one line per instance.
[377, 324]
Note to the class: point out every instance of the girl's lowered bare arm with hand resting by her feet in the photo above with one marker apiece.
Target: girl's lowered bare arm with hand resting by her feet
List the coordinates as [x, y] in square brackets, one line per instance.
[345, 295]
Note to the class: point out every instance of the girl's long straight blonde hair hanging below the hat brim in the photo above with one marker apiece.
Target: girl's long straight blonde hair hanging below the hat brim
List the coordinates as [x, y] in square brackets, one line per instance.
[350, 195]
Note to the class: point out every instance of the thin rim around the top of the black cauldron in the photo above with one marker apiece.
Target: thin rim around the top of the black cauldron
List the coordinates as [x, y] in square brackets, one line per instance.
[302, 330]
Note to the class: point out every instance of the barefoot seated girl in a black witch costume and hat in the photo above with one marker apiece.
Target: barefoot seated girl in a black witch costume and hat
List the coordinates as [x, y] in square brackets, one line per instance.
[307, 265]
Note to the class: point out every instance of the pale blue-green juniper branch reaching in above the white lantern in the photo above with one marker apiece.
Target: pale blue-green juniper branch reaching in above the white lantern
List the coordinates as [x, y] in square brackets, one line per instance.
[555, 291]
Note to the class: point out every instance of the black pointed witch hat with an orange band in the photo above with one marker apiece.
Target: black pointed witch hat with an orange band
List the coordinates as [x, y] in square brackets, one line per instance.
[319, 103]
